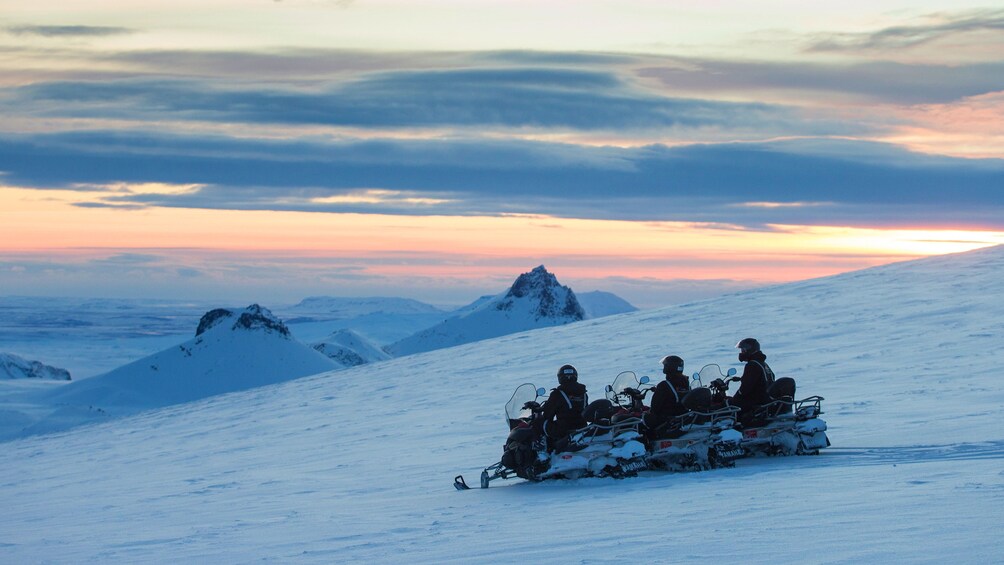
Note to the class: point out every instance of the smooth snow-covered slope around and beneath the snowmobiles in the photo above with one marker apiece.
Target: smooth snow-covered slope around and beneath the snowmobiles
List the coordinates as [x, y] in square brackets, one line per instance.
[357, 466]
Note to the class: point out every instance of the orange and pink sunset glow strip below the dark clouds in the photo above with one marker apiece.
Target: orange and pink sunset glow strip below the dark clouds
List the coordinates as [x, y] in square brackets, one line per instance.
[40, 223]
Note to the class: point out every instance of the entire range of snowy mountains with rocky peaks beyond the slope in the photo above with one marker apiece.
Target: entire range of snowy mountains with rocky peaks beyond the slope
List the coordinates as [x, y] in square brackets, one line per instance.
[237, 350]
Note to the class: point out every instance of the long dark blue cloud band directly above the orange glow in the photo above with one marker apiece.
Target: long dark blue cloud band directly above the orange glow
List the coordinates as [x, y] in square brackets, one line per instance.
[750, 184]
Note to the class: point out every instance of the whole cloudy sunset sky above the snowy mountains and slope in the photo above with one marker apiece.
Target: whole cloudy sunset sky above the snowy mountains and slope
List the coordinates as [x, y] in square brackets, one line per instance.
[269, 151]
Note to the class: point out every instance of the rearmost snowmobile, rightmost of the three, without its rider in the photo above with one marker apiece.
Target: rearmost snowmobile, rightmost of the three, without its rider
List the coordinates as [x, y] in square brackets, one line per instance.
[784, 426]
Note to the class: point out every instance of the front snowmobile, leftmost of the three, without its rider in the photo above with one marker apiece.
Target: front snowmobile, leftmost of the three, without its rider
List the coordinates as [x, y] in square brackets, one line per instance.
[598, 450]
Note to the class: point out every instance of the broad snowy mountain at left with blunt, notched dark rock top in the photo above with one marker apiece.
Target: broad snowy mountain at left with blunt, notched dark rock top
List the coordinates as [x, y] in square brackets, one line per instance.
[232, 351]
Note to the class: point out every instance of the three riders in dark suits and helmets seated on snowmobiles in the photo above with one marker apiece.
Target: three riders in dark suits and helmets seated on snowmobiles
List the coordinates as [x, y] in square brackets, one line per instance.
[563, 413]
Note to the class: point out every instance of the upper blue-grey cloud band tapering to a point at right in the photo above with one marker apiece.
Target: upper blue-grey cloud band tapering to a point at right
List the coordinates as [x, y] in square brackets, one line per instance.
[496, 99]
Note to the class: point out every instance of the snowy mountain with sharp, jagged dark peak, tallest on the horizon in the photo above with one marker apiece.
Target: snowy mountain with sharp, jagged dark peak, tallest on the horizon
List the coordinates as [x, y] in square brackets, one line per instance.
[536, 301]
